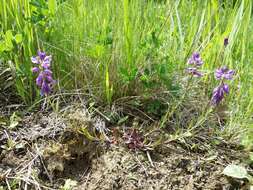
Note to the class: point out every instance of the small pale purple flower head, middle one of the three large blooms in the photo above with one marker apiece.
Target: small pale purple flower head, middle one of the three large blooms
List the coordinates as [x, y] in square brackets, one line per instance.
[196, 61]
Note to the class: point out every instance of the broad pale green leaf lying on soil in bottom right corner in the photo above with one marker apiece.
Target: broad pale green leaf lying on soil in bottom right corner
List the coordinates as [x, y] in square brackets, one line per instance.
[235, 171]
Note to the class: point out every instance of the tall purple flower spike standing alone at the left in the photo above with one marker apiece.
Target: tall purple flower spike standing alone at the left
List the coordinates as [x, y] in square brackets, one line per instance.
[44, 79]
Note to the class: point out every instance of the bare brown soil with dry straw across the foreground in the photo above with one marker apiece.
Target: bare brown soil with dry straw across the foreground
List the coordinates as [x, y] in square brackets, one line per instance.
[46, 150]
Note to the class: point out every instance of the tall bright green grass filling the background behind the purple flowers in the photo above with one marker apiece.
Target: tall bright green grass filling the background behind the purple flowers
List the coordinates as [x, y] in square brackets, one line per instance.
[120, 48]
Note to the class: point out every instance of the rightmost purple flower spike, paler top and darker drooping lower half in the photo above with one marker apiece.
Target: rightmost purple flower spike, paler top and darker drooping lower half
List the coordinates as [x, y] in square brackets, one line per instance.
[219, 92]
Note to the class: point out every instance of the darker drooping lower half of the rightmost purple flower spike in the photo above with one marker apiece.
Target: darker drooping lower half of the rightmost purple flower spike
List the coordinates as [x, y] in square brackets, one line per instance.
[218, 93]
